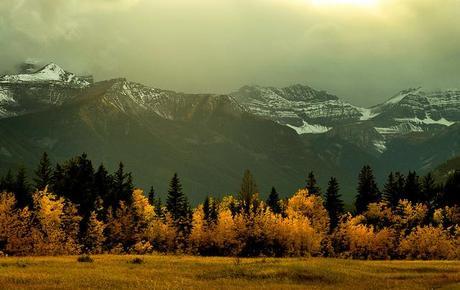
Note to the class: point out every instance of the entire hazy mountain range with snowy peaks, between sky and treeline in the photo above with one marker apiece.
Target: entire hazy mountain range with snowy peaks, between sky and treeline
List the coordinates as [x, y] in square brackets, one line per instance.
[278, 133]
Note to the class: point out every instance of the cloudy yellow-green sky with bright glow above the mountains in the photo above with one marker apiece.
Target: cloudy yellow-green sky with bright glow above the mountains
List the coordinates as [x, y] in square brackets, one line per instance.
[364, 51]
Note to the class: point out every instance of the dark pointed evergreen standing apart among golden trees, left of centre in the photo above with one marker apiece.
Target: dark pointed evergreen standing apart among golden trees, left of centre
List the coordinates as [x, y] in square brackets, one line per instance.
[176, 203]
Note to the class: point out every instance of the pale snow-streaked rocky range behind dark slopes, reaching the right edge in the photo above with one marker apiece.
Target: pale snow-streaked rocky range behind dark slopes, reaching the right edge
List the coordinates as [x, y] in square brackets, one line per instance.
[309, 111]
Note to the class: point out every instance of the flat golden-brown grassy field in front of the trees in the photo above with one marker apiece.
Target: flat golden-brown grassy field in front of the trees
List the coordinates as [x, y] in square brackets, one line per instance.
[184, 272]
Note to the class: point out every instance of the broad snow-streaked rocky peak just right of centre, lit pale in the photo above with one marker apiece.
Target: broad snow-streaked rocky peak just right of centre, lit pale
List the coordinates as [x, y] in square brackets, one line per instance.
[306, 110]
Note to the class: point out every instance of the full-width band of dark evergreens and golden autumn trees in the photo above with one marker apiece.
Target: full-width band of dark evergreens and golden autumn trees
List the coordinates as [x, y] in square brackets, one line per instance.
[74, 207]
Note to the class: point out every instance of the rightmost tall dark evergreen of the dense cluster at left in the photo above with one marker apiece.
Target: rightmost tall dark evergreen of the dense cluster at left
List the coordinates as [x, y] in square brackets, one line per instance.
[122, 186]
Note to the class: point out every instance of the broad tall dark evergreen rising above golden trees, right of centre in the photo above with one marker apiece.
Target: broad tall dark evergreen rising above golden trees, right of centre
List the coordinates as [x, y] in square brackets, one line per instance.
[368, 191]
